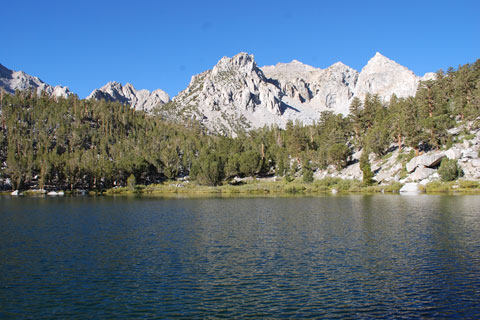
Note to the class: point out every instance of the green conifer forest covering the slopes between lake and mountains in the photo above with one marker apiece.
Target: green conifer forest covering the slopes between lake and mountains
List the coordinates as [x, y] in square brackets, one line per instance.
[70, 143]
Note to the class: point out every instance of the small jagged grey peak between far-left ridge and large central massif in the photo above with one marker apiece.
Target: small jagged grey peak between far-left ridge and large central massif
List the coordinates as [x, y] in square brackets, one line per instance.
[127, 94]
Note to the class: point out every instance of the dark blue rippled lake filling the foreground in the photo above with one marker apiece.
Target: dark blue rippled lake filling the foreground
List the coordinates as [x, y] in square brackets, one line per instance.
[356, 256]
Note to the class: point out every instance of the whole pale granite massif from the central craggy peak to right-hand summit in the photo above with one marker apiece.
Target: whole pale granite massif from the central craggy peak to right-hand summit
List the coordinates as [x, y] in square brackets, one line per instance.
[238, 94]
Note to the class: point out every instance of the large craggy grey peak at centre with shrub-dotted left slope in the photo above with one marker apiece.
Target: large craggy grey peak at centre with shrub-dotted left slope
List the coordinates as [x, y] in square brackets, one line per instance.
[233, 96]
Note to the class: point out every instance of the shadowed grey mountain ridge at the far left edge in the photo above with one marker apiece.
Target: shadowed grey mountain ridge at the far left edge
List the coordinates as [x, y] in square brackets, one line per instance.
[18, 80]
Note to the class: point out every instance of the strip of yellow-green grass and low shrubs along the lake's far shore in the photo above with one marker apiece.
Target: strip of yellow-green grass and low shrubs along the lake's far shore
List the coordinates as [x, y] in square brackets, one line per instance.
[262, 187]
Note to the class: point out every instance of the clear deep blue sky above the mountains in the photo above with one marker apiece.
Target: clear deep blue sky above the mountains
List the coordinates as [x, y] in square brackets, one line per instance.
[161, 44]
